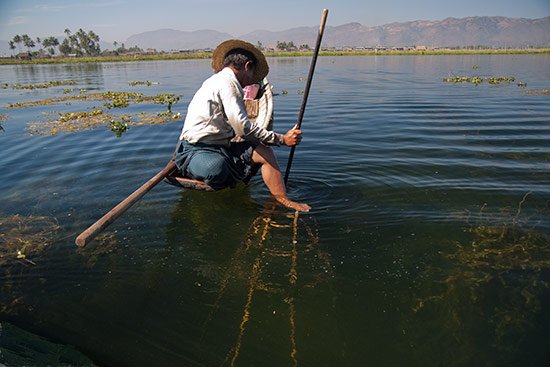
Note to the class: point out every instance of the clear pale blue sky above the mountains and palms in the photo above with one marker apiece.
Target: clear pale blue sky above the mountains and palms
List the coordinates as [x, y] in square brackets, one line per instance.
[116, 20]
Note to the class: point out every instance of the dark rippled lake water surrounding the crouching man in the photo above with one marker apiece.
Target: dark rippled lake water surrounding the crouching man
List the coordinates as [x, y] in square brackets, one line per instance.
[428, 243]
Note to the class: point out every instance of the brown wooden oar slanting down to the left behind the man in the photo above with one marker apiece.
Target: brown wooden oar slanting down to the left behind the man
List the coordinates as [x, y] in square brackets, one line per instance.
[89, 234]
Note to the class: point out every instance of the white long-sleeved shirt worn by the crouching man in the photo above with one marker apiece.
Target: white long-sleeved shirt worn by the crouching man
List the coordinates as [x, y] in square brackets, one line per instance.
[217, 113]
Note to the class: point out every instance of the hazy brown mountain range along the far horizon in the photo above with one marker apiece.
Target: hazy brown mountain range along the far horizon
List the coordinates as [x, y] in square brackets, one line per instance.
[450, 32]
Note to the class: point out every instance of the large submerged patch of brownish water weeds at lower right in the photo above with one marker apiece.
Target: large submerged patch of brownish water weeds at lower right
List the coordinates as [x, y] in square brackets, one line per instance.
[498, 276]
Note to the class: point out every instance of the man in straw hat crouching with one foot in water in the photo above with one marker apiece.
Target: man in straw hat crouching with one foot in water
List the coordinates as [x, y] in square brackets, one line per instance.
[217, 113]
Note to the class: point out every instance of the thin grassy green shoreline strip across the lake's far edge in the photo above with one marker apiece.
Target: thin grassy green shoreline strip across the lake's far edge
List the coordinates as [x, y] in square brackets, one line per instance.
[207, 55]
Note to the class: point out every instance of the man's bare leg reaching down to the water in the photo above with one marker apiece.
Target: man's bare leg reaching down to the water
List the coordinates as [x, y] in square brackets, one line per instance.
[271, 174]
